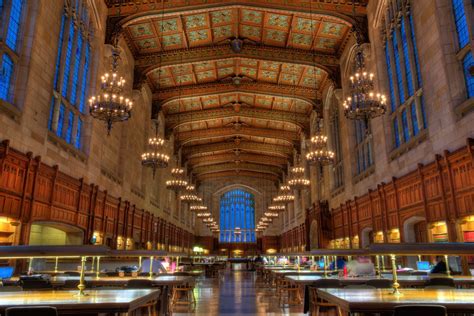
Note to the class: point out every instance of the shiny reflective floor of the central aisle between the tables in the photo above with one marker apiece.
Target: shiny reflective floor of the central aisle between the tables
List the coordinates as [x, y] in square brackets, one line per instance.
[236, 293]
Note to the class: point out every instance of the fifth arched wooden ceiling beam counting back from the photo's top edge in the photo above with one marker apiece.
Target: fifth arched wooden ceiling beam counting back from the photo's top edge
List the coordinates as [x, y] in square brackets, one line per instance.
[186, 137]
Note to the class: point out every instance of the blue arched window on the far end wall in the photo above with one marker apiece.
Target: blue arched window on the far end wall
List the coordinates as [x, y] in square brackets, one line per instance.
[237, 211]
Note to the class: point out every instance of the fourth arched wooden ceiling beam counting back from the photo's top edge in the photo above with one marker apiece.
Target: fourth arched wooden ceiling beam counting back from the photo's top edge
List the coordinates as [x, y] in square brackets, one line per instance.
[175, 120]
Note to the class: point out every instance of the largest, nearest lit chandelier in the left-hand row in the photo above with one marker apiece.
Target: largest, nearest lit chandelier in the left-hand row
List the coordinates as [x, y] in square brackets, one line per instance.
[110, 104]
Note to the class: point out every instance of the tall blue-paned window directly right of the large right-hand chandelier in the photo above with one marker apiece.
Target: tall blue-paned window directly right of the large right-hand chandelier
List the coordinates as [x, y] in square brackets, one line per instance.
[404, 76]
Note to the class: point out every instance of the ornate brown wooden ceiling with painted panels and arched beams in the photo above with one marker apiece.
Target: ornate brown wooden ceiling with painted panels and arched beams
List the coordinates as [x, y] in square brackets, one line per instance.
[236, 112]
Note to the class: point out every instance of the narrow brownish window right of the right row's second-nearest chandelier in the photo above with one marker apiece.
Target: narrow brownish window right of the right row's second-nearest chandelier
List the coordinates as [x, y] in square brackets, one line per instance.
[338, 170]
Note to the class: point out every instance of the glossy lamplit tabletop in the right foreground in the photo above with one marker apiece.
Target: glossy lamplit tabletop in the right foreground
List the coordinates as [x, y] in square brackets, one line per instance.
[354, 300]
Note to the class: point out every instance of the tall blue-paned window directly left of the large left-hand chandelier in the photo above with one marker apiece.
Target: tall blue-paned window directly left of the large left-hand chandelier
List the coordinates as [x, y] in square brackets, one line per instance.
[72, 74]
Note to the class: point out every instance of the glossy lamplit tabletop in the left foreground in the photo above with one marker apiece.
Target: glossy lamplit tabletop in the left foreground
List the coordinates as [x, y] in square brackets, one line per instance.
[68, 299]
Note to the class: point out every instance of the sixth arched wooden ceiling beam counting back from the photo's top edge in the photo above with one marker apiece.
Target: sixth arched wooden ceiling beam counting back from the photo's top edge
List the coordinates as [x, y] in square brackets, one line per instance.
[244, 146]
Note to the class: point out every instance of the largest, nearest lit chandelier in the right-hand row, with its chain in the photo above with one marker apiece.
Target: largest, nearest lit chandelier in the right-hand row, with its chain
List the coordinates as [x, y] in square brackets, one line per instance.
[363, 102]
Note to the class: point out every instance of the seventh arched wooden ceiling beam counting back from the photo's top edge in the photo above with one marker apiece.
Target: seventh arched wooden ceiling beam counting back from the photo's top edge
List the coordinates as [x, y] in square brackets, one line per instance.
[246, 157]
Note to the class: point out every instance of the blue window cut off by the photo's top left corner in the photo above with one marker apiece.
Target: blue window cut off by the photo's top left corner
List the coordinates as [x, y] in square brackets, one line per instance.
[11, 14]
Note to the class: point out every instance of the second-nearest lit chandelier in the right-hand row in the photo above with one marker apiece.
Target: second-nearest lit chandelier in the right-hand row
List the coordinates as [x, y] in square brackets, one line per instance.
[319, 152]
